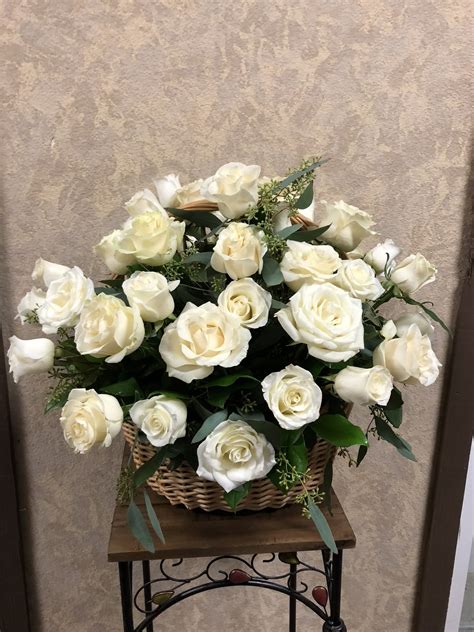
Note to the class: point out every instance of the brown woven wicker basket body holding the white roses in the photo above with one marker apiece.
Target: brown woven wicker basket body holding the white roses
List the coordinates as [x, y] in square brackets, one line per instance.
[182, 486]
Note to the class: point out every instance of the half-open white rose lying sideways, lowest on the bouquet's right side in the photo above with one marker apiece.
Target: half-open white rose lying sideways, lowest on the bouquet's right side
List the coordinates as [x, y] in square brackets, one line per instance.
[364, 386]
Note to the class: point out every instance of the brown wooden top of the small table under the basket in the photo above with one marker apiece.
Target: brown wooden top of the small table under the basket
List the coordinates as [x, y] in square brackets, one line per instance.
[200, 534]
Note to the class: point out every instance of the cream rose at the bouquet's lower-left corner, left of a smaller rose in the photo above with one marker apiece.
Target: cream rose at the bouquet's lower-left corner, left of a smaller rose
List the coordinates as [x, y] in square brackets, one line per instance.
[89, 418]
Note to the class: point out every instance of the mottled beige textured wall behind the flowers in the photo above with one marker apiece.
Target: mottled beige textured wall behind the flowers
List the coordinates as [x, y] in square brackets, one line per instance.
[97, 98]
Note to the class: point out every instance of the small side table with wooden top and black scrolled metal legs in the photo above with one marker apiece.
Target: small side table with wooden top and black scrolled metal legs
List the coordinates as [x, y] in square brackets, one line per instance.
[266, 537]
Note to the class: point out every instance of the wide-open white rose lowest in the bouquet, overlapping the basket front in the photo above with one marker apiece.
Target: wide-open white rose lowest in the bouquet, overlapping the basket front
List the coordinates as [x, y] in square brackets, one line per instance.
[233, 454]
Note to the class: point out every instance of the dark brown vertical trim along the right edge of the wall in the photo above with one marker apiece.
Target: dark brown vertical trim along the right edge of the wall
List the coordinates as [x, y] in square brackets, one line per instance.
[448, 473]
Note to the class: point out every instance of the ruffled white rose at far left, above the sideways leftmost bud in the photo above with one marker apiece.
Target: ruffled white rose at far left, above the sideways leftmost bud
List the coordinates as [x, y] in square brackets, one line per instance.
[65, 300]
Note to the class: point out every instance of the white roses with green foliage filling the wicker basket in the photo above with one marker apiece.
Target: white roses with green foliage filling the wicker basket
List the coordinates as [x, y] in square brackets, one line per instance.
[239, 327]
